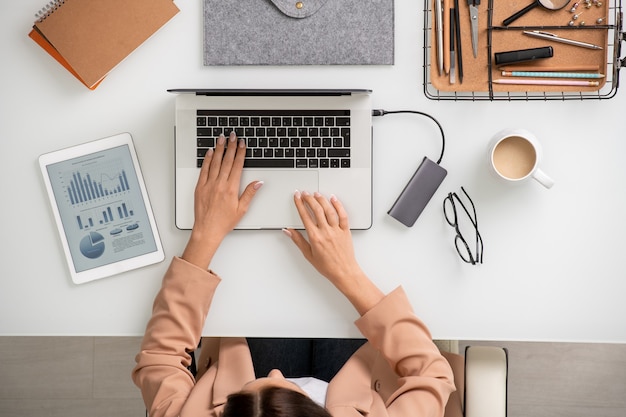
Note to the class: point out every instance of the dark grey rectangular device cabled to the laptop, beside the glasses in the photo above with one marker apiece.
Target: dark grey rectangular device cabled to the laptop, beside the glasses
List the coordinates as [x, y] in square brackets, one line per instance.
[418, 192]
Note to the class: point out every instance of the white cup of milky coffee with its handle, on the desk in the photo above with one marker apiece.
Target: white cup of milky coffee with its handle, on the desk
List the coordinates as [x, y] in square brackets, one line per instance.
[514, 156]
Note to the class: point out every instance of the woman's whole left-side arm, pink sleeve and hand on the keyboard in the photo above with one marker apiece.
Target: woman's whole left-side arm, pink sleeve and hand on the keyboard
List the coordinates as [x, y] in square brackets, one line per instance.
[181, 306]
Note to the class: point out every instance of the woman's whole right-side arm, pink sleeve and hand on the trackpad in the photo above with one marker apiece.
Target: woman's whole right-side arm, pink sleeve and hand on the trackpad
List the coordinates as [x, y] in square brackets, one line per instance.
[424, 377]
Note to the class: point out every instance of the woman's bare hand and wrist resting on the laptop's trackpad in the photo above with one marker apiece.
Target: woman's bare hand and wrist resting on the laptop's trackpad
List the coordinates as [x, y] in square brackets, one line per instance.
[330, 250]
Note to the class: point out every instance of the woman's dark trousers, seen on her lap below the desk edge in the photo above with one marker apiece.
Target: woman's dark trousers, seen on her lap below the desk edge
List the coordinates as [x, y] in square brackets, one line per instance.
[319, 358]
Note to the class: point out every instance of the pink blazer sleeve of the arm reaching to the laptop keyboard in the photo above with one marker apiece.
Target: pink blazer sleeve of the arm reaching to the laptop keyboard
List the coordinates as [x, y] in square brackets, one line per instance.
[178, 315]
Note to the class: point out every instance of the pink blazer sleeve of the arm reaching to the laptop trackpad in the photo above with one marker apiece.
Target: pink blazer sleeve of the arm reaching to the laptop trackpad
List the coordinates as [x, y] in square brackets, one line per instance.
[425, 379]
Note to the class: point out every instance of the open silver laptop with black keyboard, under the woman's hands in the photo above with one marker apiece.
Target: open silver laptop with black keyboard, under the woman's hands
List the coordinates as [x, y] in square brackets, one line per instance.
[307, 140]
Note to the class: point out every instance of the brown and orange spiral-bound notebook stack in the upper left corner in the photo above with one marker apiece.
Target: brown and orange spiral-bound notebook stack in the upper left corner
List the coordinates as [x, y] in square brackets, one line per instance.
[90, 37]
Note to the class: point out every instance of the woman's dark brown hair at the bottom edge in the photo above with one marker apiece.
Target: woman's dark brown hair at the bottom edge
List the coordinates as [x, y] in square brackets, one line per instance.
[272, 402]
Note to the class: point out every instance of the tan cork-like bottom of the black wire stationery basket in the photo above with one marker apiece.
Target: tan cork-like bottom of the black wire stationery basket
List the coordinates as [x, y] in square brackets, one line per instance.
[479, 72]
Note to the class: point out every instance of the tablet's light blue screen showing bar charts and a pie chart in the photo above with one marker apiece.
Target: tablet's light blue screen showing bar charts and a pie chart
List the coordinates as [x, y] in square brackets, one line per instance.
[101, 206]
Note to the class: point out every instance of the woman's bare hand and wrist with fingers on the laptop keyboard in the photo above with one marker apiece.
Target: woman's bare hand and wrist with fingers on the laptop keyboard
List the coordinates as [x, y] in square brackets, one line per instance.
[218, 207]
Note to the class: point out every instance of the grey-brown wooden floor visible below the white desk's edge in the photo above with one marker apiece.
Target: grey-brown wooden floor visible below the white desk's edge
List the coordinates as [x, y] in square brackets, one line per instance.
[90, 377]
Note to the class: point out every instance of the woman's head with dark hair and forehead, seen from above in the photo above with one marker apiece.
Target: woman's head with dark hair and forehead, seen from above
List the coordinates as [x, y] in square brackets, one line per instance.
[273, 396]
